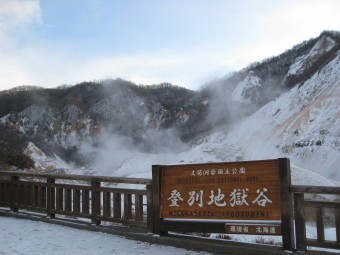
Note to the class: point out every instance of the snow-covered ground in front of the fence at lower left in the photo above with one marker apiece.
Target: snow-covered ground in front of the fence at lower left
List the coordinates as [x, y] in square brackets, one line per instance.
[30, 237]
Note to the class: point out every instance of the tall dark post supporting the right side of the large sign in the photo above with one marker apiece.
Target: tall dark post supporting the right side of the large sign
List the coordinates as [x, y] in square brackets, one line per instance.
[286, 205]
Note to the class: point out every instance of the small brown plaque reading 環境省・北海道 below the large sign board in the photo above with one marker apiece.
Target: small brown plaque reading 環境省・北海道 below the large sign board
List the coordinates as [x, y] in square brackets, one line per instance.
[252, 229]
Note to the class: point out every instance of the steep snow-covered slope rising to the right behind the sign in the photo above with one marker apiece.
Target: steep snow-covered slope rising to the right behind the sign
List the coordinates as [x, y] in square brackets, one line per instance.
[303, 124]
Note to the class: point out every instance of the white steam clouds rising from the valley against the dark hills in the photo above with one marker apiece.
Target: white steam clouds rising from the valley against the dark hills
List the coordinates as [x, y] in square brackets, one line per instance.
[116, 147]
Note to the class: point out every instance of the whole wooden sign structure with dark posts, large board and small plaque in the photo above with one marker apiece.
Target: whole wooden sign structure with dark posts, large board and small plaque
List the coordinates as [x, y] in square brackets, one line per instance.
[209, 197]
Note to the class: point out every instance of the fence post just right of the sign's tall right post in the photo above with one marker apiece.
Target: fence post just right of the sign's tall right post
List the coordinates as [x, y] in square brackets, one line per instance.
[300, 225]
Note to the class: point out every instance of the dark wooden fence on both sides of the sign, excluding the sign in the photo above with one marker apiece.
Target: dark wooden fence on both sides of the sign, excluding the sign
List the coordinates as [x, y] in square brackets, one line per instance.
[97, 199]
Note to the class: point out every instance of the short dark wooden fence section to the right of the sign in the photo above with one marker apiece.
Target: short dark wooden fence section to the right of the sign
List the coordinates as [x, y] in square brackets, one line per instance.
[310, 205]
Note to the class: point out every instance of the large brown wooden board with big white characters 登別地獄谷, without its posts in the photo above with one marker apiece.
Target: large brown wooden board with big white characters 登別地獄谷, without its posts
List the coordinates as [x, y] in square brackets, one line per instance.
[247, 190]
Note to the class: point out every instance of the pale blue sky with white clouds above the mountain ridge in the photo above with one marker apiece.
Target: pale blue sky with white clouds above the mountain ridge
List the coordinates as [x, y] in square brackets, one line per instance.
[186, 42]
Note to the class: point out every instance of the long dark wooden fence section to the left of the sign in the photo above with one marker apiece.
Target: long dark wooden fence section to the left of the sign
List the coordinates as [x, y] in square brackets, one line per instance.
[90, 197]
